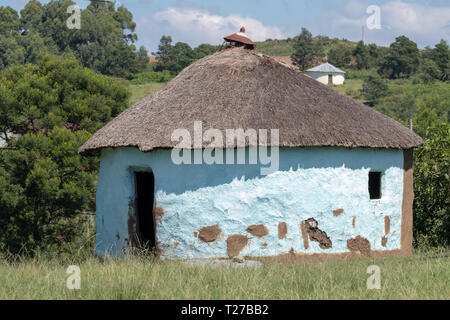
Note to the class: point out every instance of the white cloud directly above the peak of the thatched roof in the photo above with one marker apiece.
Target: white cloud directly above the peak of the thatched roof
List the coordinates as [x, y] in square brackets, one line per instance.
[203, 27]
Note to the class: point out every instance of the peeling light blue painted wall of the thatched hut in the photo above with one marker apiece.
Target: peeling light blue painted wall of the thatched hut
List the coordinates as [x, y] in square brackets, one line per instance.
[310, 183]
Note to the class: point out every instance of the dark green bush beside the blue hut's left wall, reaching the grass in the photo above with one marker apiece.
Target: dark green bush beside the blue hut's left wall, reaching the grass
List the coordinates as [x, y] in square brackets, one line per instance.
[44, 188]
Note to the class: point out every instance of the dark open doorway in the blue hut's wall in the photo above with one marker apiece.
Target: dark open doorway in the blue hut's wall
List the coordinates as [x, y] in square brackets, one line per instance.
[145, 222]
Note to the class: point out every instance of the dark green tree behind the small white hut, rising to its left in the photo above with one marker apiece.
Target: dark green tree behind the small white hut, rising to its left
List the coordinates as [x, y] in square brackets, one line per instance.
[305, 50]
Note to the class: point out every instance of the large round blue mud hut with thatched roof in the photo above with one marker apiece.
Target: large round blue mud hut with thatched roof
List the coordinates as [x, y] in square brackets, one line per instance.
[242, 155]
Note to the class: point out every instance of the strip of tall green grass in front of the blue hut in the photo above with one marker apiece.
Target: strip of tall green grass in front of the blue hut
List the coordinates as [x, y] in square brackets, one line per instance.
[422, 276]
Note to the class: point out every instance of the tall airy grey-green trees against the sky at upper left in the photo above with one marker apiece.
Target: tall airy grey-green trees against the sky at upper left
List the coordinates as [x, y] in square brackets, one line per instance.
[104, 43]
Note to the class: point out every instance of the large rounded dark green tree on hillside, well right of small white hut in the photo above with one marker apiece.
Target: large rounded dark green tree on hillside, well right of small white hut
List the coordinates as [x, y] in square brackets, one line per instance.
[402, 60]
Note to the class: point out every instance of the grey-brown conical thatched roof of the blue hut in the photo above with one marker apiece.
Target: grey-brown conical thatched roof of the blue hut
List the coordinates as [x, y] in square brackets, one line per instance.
[239, 88]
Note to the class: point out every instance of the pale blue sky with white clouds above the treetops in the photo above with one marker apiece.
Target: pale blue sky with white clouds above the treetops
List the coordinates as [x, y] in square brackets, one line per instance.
[207, 21]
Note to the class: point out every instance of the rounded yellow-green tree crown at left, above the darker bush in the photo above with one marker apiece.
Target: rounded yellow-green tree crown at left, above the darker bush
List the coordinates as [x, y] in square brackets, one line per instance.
[58, 92]
